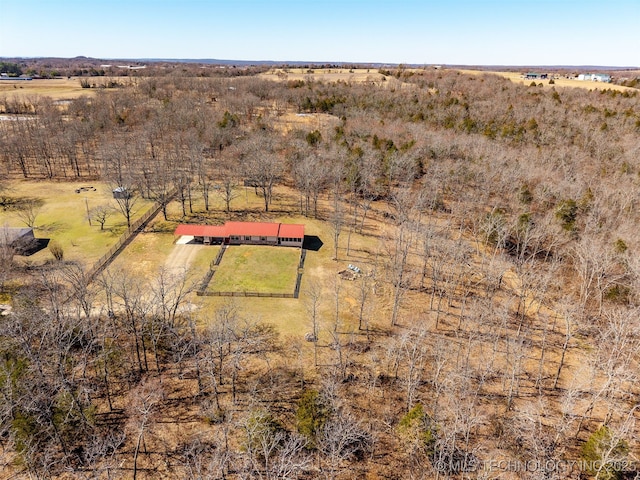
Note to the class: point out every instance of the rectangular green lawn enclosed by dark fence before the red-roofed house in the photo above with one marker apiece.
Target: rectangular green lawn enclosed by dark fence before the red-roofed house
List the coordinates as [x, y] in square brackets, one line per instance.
[256, 268]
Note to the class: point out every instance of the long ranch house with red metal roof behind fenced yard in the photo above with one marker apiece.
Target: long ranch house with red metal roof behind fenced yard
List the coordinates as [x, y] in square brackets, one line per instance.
[245, 233]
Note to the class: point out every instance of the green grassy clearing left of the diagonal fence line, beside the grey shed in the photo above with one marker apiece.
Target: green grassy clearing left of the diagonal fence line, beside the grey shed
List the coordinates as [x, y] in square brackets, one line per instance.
[63, 218]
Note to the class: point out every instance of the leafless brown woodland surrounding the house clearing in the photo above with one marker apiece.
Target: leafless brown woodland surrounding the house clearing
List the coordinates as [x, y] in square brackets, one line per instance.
[508, 272]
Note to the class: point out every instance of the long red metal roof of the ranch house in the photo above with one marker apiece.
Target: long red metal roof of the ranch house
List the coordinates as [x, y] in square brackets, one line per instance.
[254, 229]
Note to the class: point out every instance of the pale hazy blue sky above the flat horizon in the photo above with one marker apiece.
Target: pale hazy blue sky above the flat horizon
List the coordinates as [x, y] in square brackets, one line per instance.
[507, 32]
